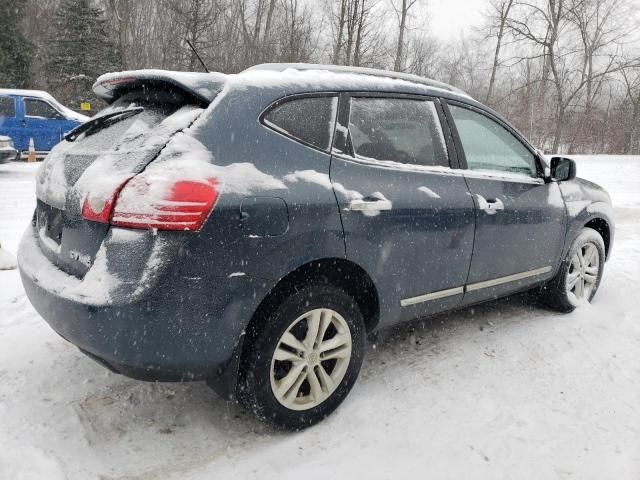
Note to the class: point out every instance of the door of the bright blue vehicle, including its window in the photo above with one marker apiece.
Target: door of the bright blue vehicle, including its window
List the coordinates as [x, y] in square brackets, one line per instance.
[43, 123]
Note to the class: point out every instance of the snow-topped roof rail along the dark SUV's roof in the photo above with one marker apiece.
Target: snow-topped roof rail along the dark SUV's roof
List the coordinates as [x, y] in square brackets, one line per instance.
[409, 77]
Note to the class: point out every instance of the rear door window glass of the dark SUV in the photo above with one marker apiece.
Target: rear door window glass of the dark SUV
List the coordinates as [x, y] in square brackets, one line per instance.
[397, 129]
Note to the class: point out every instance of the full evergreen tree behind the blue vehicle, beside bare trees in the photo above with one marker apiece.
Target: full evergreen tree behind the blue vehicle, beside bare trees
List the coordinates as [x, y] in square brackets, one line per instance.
[79, 51]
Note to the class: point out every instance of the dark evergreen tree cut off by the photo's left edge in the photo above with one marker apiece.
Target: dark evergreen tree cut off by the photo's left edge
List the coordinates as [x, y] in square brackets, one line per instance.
[14, 48]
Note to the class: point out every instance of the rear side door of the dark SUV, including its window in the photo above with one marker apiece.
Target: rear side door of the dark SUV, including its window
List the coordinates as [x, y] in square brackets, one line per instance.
[408, 218]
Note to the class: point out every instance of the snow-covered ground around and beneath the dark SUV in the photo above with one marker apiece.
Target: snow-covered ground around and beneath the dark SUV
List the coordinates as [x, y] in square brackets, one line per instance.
[501, 391]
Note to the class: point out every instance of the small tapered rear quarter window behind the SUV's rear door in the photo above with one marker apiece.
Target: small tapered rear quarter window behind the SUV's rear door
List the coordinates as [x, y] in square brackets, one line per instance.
[310, 120]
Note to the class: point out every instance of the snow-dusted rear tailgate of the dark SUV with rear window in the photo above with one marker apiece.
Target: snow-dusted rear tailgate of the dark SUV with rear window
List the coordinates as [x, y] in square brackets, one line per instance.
[104, 157]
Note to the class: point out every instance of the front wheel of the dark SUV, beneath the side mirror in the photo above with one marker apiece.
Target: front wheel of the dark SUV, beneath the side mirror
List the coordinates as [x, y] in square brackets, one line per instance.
[580, 273]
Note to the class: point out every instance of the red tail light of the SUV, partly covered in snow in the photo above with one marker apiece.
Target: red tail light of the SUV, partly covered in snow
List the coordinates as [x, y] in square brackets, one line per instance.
[154, 201]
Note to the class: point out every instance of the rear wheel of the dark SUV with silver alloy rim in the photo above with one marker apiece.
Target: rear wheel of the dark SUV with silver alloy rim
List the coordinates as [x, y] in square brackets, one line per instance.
[302, 360]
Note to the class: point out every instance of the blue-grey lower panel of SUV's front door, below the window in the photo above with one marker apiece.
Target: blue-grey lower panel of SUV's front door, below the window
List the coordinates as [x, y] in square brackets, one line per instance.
[526, 237]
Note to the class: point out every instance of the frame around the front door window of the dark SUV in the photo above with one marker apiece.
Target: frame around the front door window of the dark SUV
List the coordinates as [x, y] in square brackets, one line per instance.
[462, 159]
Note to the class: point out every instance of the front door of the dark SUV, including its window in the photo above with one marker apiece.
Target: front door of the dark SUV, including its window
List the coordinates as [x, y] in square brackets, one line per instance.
[520, 218]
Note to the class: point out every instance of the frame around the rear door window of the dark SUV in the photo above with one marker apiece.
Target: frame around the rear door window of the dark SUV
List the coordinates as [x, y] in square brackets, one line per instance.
[346, 150]
